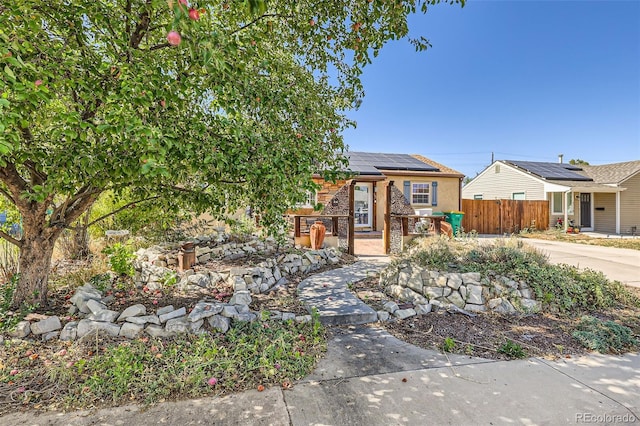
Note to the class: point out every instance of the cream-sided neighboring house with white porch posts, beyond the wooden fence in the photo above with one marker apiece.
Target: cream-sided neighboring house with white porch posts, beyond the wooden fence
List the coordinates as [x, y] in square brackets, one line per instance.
[603, 198]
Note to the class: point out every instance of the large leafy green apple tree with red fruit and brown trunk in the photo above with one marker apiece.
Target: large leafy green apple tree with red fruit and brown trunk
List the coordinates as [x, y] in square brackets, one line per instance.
[216, 103]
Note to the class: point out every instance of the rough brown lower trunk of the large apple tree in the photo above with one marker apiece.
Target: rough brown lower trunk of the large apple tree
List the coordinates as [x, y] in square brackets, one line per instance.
[34, 264]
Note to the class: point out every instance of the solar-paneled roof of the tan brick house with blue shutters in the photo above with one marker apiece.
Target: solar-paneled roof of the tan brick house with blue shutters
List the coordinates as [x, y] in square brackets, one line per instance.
[375, 164]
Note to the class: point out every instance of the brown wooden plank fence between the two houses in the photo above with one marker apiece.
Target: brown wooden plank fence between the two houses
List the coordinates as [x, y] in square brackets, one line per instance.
[504, 216]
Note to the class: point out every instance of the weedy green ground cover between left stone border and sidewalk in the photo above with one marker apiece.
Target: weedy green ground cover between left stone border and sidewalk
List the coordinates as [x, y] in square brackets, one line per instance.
[269, 353]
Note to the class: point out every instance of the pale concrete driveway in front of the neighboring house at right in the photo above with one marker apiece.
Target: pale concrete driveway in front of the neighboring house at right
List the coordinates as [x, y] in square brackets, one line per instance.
[617, 264]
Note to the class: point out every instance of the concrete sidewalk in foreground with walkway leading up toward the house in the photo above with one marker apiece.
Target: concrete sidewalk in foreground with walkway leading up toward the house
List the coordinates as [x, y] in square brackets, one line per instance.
[369, 377]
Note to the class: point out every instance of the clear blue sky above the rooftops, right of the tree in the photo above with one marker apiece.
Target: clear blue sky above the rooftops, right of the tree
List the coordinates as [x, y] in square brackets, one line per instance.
[527, 80]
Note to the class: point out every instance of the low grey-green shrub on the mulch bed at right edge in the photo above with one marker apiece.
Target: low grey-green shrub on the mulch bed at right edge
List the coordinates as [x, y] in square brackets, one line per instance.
[604, 336]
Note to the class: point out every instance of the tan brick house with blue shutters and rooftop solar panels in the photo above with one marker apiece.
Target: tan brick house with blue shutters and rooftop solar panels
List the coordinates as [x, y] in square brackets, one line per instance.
[425, 183]
